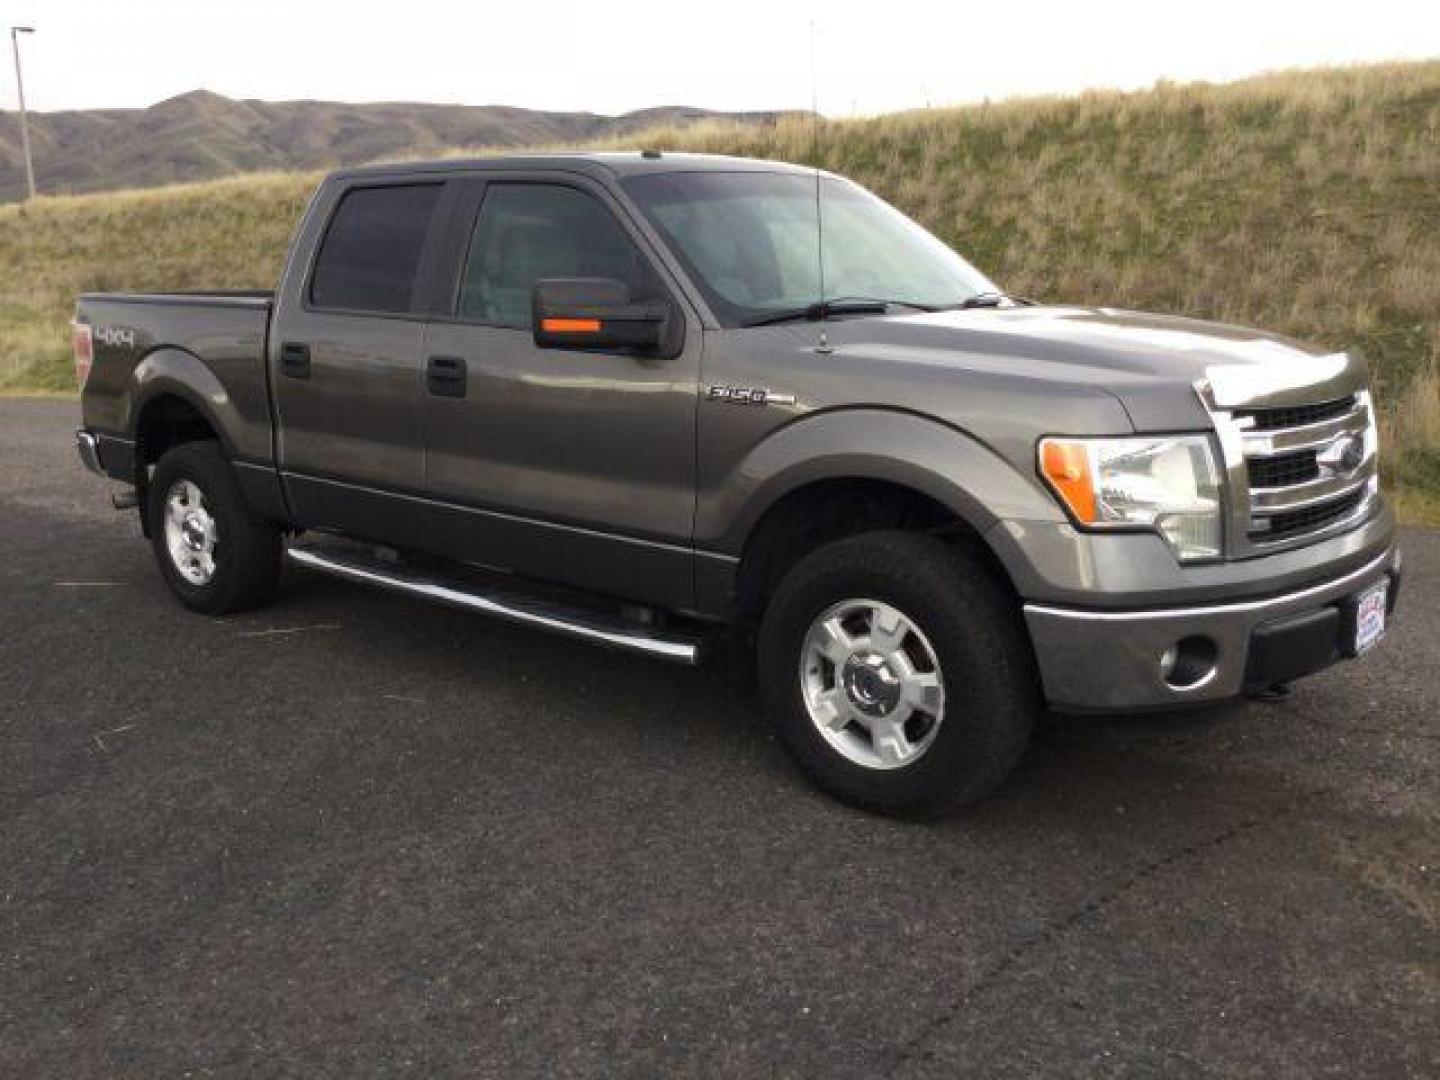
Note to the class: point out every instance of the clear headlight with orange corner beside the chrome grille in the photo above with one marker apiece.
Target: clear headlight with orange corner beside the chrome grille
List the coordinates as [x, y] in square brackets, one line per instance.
[1167, 483]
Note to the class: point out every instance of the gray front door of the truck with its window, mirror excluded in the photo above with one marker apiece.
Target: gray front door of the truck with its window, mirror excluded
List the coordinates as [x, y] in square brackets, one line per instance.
[564, 464]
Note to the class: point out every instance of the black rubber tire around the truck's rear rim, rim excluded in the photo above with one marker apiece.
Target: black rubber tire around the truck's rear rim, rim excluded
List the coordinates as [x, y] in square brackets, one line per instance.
[247, 548]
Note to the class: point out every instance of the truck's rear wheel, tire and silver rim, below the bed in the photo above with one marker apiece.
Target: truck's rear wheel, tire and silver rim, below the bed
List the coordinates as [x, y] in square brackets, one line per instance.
[214, 554]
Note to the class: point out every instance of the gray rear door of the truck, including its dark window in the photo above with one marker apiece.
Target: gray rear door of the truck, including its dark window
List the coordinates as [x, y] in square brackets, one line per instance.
[346, 358]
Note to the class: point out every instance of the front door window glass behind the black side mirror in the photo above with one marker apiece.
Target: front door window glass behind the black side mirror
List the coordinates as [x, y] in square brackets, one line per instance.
[528, 233]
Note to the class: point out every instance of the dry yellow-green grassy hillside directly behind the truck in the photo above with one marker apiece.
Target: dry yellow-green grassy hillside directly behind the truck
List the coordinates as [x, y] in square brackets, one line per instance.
[1304, 202]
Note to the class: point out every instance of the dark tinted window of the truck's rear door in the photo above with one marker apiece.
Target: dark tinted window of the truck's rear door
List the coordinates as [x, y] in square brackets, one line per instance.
[372, 250]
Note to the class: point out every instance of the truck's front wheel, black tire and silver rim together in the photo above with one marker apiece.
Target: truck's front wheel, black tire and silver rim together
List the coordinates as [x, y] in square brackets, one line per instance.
[898, 673]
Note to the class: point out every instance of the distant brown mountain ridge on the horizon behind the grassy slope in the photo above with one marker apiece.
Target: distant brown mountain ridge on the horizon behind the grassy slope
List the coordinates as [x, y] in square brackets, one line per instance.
[202, 136]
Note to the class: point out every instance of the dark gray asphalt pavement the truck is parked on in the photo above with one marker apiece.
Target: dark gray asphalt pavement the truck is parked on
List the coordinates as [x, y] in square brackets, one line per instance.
[358, 836]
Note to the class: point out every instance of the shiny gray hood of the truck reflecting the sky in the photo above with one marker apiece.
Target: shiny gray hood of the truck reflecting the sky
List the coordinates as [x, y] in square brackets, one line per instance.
[1151, 364]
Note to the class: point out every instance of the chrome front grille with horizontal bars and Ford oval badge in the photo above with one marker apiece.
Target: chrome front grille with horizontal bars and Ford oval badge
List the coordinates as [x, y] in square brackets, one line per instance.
[1297, 472]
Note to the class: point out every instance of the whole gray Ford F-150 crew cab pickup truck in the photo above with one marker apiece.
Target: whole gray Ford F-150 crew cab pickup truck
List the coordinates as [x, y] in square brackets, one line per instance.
[649, 400]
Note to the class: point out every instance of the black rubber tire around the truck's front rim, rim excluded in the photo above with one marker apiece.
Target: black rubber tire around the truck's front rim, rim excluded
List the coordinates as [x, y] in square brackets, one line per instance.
[984, 657]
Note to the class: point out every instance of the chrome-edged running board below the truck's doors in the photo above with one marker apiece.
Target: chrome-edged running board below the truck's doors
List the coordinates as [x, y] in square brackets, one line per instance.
[513, 607]
